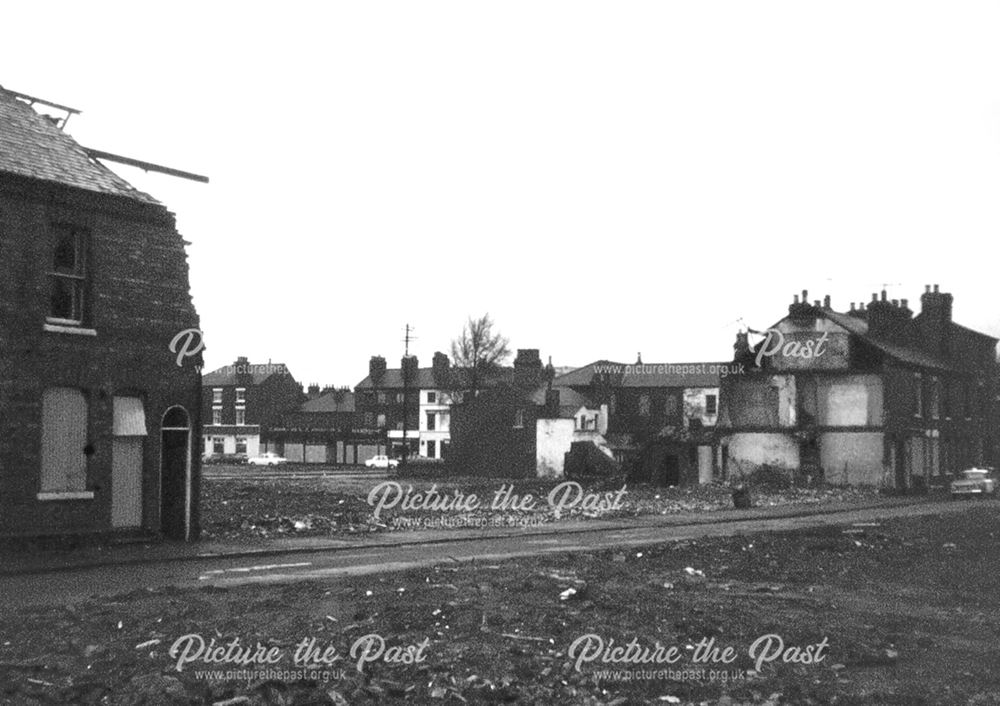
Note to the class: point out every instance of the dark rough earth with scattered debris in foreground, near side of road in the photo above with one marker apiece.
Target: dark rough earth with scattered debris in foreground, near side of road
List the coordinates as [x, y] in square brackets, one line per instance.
[908, 610]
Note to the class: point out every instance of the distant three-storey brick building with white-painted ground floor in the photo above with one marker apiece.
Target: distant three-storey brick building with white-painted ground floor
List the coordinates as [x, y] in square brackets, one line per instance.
[240, 400]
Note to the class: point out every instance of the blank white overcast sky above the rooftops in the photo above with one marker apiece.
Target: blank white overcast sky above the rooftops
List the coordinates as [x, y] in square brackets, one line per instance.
[603, 178]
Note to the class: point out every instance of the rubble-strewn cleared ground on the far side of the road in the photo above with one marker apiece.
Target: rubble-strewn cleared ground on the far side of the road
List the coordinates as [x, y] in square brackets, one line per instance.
[255, 509]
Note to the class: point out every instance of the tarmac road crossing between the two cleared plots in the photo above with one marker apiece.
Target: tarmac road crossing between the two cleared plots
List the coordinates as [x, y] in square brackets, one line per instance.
[72, 584]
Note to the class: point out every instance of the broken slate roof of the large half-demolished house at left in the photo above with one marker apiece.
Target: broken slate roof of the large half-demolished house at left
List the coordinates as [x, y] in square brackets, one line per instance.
[32, 146]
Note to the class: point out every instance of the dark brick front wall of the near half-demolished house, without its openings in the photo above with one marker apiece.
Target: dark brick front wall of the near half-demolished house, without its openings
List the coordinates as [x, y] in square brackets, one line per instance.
[139, 299]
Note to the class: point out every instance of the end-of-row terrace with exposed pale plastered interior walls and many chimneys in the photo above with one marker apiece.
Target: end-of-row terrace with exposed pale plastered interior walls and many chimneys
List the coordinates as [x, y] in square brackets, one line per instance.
[873, 396]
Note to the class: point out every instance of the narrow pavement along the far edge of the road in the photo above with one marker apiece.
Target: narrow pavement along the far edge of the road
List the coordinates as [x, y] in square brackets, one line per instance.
[15, 562]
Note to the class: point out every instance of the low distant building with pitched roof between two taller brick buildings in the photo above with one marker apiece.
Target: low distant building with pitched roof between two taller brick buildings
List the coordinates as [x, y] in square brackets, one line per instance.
[325, 429]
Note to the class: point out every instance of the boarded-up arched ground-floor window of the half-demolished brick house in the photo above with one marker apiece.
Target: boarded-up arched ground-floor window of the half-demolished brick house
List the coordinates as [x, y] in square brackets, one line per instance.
[64, 436]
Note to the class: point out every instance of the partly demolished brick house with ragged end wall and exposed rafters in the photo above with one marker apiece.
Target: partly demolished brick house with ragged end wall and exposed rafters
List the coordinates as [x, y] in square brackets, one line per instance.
[99, 421]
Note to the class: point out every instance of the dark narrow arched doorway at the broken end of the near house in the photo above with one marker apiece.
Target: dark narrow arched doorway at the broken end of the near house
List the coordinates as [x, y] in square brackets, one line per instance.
[175, 474]
